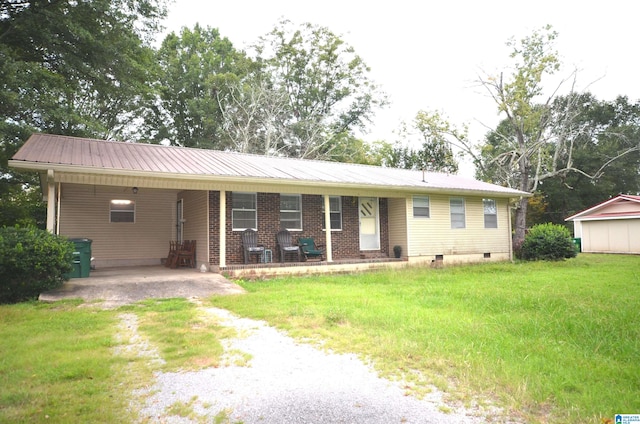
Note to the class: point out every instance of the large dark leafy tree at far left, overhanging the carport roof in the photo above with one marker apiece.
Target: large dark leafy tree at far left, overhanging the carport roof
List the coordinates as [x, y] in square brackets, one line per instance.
[69, 67]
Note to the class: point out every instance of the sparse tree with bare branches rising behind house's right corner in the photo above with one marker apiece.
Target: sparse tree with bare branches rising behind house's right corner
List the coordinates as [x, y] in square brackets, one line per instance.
[527, 122]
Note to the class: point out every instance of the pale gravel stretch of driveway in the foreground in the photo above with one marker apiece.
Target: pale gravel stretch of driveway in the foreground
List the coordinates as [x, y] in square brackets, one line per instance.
[287, 382]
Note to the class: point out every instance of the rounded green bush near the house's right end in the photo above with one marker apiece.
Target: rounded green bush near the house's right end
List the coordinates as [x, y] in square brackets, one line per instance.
[548, 242]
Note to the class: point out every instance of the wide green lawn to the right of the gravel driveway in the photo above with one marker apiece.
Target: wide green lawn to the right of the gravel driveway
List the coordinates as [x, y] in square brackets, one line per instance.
[549, 341]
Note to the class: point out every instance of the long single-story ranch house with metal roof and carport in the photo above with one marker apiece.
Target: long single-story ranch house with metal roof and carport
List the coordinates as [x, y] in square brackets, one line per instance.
[132, 199]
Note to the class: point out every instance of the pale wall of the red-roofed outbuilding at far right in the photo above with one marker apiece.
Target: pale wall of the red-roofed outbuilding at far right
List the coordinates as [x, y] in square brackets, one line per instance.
[611, 236]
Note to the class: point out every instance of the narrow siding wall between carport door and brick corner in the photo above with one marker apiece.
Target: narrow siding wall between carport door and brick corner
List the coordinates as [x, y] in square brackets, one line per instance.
[196, 218]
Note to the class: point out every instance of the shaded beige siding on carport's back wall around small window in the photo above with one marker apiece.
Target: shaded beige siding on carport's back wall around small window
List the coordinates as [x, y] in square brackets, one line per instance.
[84, 213]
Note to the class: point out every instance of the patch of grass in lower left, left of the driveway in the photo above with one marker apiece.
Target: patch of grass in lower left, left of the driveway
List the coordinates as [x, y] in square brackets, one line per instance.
[57, 365]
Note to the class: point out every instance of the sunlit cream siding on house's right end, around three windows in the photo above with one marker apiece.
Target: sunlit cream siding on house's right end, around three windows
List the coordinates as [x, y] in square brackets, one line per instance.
[434, 236]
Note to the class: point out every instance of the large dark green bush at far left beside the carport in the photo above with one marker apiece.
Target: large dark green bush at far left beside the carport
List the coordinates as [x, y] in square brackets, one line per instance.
[31, 261]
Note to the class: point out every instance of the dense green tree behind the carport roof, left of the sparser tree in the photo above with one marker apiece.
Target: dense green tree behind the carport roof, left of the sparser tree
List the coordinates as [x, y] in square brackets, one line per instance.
[196, 67]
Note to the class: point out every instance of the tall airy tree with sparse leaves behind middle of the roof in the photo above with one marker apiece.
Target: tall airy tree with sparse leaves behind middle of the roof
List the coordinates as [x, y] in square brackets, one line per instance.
[326, 83]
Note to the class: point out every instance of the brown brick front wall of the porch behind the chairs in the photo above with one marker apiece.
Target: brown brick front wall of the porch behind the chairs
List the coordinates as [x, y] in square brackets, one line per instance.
[345, 243]
